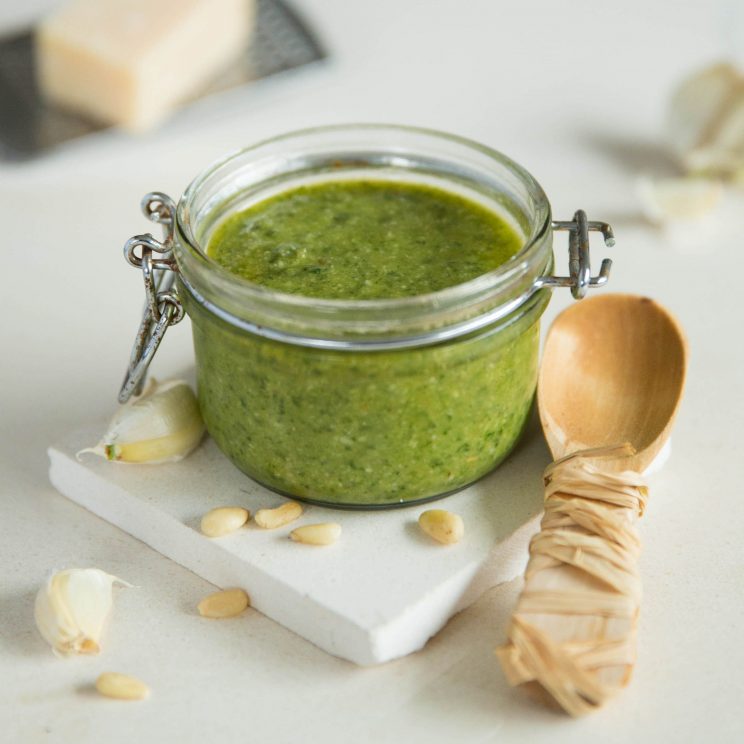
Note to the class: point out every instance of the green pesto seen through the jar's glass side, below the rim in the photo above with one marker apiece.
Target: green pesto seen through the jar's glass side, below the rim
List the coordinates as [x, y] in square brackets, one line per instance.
[365, 428]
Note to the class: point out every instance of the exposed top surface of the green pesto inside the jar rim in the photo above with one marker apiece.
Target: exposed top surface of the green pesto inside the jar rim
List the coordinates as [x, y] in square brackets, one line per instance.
[363, 240]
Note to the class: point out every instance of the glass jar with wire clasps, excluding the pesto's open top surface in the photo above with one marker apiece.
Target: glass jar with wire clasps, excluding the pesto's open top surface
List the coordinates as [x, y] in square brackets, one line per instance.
[359, 403]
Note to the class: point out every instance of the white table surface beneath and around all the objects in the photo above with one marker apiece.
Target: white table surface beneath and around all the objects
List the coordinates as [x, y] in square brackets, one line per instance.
[576, 93]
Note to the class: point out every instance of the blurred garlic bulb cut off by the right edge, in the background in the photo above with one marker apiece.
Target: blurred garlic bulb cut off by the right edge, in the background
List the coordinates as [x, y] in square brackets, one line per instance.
[705, 124]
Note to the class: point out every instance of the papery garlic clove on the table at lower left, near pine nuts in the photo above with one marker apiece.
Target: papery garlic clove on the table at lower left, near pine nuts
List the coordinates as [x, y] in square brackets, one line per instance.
[71, 609]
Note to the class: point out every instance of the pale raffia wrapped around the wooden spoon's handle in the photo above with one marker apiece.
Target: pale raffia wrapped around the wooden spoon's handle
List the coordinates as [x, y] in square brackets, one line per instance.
[574, 627]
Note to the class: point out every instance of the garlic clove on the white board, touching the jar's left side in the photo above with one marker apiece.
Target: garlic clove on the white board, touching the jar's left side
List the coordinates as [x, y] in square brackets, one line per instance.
[161, 425]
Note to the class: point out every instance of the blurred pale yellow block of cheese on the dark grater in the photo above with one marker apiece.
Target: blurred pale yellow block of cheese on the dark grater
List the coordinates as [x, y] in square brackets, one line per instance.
[129, 62]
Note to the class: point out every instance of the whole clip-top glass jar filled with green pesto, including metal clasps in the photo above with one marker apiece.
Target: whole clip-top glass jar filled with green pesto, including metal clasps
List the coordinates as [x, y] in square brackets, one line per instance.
[365, 304]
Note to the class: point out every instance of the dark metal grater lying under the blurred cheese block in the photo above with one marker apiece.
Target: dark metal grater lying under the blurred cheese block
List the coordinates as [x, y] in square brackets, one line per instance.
[28, 126]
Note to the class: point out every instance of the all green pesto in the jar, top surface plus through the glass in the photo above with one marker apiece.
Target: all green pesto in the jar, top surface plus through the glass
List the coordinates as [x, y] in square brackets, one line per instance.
[355, 428]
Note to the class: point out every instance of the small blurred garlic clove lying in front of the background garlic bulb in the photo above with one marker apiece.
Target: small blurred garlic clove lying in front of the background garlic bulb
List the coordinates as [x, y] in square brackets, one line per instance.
[678, 199]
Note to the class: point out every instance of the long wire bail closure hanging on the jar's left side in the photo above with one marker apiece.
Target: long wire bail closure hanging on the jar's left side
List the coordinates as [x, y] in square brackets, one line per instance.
[162, 306]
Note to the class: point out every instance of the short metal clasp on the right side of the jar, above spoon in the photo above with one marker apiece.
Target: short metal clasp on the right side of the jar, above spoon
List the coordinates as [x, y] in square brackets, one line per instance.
[579, 264]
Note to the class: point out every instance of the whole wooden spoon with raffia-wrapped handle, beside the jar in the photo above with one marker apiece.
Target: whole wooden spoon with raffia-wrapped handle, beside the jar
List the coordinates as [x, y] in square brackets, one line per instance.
[610, 384]
